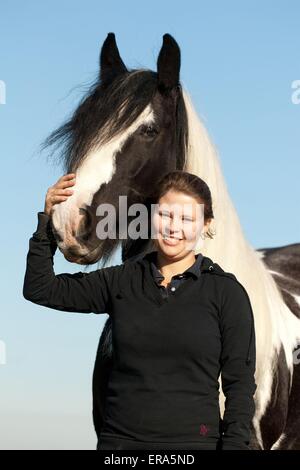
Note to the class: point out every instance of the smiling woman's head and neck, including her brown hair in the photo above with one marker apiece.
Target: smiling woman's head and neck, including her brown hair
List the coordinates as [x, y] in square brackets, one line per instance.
[184, 209]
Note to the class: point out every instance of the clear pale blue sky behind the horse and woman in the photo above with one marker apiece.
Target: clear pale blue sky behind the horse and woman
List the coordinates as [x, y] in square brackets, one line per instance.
[239, 60]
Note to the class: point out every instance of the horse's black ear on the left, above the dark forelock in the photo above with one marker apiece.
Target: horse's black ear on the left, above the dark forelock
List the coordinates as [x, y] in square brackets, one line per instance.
[111, 64]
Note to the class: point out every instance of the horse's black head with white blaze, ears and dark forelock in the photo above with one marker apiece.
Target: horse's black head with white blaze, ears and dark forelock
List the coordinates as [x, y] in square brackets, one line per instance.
[128, 132]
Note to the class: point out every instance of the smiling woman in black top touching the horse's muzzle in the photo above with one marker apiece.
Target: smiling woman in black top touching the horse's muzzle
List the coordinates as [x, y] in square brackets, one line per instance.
[178, 322]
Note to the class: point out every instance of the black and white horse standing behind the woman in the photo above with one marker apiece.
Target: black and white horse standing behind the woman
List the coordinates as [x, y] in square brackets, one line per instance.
[132, 127]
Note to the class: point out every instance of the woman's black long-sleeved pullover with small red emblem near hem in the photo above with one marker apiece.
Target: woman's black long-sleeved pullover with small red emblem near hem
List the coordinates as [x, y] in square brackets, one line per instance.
[168, 353]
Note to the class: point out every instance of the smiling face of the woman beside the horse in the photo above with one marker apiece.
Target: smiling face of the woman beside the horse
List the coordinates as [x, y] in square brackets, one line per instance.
[178, 221]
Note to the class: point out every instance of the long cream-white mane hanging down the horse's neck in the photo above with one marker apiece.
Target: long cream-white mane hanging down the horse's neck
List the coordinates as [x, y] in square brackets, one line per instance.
[275, 324]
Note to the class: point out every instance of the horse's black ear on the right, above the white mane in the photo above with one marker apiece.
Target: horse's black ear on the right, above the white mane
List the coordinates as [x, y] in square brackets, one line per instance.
[168, 64]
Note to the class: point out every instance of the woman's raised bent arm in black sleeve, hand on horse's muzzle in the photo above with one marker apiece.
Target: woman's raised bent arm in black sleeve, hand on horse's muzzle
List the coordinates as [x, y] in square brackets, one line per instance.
[79, 292]
